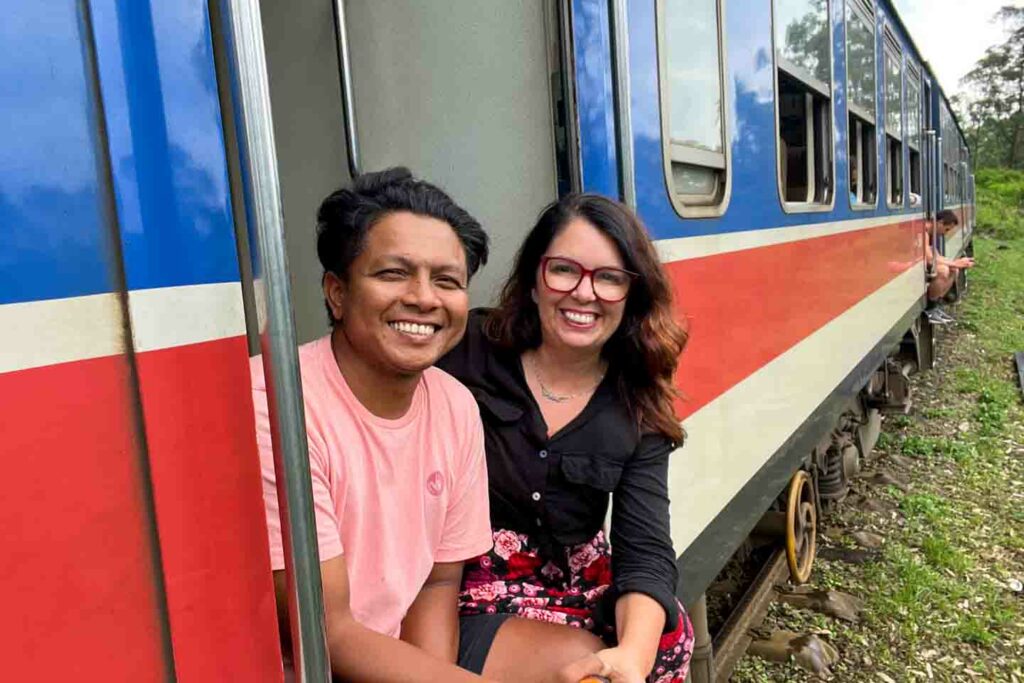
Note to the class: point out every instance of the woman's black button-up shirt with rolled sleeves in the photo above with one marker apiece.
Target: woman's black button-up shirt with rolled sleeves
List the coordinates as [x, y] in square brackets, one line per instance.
[557, 489]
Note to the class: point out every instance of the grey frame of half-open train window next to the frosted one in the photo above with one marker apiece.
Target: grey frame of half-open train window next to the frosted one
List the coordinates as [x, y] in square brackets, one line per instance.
[814, 89]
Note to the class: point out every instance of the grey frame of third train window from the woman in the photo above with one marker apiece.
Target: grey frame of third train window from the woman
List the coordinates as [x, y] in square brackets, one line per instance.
[856, 116]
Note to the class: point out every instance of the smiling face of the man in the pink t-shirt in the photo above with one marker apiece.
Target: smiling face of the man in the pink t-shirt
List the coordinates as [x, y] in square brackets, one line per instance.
[405, 304]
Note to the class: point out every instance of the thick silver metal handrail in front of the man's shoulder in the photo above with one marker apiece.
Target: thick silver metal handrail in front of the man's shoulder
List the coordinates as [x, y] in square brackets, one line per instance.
[251, 103]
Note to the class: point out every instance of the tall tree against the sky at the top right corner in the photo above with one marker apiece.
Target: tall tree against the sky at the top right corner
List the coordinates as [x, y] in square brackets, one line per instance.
[996, 106]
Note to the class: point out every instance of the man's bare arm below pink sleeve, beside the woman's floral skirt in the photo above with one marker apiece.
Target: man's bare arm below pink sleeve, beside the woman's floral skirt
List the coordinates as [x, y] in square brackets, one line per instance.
[433, 621]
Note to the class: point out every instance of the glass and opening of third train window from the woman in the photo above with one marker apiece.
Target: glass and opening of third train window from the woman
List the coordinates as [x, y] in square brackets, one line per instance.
[861, 70]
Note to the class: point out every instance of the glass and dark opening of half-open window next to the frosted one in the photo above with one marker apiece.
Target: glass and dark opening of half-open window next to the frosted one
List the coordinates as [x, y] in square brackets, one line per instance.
[803, 59]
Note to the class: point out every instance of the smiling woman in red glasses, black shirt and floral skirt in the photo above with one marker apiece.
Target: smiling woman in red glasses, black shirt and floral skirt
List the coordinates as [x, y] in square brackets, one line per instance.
[574, 375]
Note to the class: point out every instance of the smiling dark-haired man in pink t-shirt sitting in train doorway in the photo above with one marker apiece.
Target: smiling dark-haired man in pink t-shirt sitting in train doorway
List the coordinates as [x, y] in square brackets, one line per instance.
[396, 446]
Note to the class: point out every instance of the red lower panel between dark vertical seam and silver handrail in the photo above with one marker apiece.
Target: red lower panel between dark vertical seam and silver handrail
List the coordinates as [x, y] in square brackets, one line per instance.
[199, 416]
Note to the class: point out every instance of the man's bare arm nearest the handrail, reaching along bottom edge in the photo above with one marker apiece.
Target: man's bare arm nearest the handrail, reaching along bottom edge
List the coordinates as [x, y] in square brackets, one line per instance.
[359, 654]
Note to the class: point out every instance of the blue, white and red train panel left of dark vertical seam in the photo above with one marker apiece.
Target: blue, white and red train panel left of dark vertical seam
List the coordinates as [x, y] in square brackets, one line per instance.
[83, 588]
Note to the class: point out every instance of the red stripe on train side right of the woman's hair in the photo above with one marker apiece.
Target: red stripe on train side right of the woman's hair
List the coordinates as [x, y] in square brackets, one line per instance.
[746, 309]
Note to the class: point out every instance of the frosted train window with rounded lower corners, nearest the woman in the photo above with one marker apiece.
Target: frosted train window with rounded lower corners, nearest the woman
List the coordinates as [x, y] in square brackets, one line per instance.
[697, 158]
